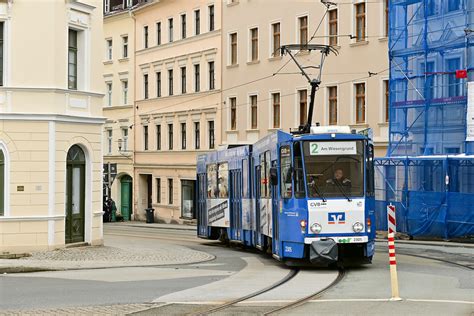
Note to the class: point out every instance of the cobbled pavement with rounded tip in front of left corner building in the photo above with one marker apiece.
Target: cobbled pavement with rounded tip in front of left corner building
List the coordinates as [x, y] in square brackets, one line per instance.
[103, 257]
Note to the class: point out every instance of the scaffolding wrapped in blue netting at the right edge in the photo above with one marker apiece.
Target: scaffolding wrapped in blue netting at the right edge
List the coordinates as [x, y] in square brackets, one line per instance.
[428, 172]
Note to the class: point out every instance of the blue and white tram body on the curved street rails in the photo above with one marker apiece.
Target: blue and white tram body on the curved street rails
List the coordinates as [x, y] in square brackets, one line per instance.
[305, 198]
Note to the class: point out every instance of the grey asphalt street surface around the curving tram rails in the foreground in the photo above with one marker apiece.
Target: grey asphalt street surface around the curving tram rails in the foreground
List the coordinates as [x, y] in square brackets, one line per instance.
[427, 286]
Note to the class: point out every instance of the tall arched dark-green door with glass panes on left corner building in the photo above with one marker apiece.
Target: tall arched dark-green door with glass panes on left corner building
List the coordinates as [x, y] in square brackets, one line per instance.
[75, 195]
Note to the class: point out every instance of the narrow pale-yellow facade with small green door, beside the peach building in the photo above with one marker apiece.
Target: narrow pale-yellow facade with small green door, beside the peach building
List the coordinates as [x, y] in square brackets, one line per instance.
[119, 83]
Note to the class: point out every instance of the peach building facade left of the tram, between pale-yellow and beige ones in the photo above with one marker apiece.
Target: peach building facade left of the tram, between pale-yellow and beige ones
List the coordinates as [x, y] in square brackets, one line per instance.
[178, 66]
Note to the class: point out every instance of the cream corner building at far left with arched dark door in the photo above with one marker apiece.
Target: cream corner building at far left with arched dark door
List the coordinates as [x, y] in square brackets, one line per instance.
[50, 124]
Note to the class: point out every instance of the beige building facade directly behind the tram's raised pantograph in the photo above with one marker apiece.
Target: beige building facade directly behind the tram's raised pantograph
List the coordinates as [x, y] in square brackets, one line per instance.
[264, 91]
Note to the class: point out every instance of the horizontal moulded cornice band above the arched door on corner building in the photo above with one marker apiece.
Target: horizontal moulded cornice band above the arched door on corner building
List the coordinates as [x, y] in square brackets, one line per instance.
[61, 118]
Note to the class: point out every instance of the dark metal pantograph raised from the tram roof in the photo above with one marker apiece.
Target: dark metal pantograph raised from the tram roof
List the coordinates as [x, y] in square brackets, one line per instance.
[325, 50]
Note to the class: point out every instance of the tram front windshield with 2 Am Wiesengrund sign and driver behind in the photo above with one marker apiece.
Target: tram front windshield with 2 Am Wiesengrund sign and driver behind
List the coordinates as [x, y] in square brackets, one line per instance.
[334, 168]
